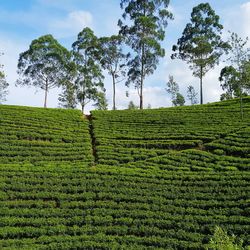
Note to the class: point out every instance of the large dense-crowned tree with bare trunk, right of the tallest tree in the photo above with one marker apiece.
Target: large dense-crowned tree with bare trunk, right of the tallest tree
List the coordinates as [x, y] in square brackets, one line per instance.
[201, 45]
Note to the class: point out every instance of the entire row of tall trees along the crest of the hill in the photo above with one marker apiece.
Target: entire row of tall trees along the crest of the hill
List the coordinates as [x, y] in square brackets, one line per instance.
[133, 54]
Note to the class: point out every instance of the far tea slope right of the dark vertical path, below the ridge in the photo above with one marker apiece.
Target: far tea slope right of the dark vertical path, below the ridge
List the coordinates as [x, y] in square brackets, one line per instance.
[131, 137]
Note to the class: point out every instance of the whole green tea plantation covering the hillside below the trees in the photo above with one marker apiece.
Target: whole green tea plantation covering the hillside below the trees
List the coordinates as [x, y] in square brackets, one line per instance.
[152, 179]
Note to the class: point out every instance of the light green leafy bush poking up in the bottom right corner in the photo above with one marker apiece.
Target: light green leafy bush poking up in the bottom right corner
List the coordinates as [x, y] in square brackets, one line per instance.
[222, 241]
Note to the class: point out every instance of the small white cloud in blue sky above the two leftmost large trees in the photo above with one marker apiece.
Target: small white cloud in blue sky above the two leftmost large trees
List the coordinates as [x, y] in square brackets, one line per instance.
[72, 24]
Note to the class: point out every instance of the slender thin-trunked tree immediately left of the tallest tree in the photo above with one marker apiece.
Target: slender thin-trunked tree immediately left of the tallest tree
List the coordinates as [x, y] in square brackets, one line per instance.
[113, 60]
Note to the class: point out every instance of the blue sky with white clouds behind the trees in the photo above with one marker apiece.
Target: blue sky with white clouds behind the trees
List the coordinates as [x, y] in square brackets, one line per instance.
[23, 21]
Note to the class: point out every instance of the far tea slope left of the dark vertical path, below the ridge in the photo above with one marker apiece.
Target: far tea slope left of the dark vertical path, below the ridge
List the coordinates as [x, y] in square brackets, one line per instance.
[36, 135]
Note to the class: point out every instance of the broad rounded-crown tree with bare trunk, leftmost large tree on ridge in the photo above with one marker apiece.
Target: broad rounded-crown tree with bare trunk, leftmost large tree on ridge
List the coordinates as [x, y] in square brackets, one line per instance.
[42, 65]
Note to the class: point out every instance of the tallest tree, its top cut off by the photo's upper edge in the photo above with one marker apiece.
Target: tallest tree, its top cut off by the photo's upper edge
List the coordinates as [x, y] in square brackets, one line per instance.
[143, 33]
